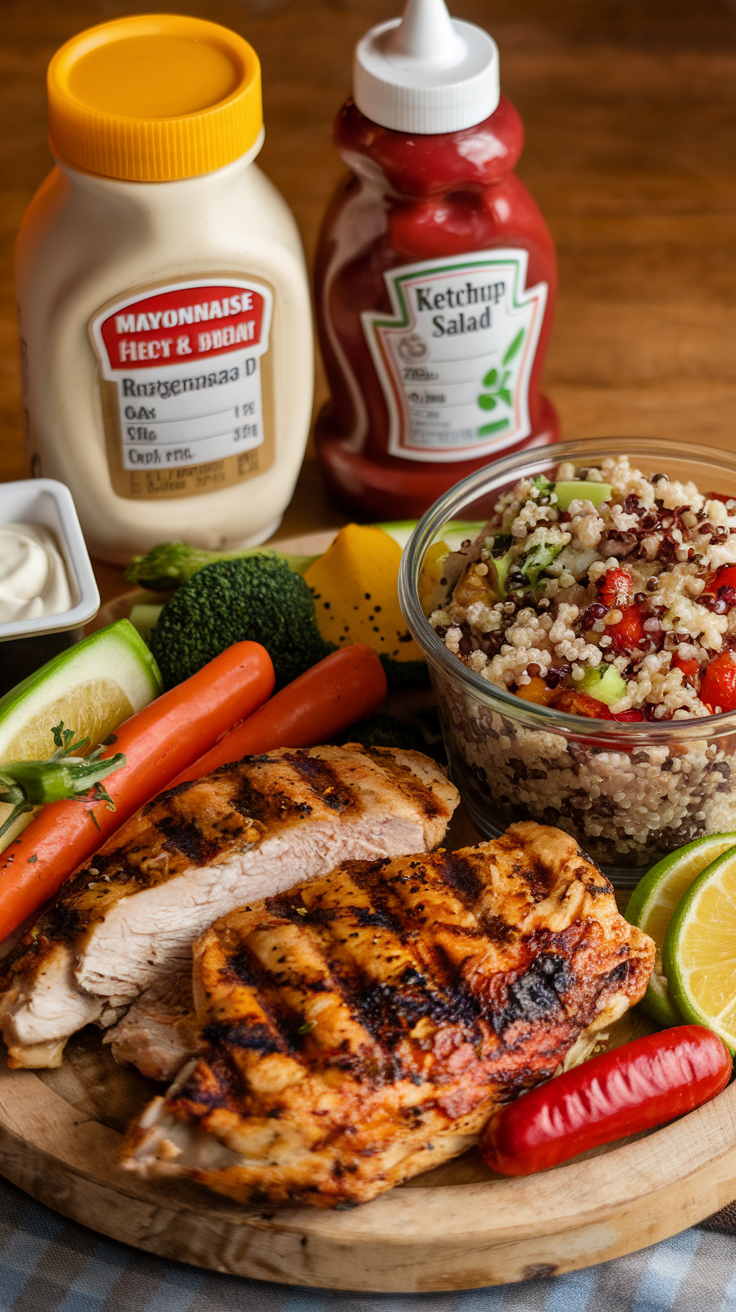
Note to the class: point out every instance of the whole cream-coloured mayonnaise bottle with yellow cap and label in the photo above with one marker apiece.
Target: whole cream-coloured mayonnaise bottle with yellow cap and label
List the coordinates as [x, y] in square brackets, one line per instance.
[165, 308]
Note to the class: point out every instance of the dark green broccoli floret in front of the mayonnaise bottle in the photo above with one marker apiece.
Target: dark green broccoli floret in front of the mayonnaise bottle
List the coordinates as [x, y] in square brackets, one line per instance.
[255, 598]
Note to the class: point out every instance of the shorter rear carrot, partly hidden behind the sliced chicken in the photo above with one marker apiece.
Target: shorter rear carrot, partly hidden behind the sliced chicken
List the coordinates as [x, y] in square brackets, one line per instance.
[321, 704]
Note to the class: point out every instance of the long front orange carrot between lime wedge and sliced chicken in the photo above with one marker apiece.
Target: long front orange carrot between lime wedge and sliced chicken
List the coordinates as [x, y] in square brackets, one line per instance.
[158, 743]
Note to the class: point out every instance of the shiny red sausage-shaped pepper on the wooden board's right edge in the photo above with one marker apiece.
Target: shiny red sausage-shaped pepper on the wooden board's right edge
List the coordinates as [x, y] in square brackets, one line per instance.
[634, 1088]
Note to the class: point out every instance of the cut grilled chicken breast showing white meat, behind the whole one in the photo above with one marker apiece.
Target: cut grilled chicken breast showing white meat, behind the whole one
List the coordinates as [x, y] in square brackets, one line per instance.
[247, 831]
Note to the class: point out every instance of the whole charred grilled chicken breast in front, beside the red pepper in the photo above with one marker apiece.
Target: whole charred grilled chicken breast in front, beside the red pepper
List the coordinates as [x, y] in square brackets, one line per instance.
[361, 1028]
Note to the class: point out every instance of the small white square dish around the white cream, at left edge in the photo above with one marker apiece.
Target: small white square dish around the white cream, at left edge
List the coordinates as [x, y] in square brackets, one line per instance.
[26, 645]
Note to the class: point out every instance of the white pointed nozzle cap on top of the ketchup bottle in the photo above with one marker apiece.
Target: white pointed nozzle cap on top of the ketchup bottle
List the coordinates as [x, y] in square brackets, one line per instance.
[427, 73]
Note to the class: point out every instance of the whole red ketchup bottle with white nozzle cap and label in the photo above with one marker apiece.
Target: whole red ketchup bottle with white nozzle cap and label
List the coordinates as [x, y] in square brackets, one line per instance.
[436, 274]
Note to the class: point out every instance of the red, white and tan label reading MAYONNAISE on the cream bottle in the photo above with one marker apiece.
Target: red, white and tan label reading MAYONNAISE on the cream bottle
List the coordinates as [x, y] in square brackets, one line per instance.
[183, 369]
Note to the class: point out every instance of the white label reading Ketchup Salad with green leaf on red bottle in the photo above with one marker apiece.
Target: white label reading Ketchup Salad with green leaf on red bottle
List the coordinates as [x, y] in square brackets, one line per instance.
[456, 355]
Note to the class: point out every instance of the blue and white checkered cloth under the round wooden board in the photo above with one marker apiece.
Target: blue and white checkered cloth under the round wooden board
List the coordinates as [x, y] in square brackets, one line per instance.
[52, 1265]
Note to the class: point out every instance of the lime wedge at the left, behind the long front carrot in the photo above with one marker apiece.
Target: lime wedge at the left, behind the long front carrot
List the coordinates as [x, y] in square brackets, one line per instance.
[92, 688]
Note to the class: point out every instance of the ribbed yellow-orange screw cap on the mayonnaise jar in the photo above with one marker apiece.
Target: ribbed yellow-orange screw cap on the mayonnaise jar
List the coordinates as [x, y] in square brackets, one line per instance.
[154, 98]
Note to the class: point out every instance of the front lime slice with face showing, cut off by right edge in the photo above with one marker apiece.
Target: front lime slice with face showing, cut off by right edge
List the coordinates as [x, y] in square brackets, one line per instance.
[700, 951]
